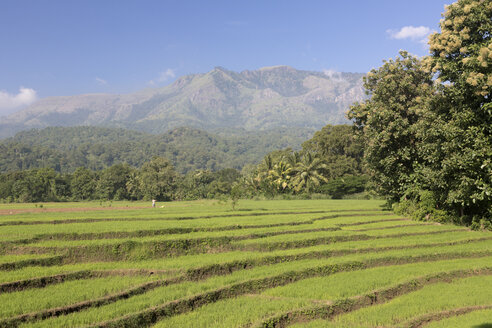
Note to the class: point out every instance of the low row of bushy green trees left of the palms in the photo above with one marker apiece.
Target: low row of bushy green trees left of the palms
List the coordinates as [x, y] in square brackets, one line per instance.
[156, 179]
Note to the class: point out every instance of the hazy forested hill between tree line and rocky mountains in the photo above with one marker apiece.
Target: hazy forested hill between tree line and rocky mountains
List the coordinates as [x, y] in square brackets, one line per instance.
[66, 148]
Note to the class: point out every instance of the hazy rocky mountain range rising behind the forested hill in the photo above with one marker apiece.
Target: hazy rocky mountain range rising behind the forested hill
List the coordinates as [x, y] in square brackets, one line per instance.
[264, 99]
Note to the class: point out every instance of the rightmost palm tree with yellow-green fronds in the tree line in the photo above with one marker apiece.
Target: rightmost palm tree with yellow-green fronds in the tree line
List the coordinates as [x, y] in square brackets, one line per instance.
[309, 173]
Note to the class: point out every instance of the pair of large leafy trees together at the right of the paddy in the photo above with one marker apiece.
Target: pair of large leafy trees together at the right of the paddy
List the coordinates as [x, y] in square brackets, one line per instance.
[427, 127]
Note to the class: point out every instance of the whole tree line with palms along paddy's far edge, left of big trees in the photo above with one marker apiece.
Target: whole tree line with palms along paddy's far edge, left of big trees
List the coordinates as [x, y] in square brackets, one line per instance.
[329, 163]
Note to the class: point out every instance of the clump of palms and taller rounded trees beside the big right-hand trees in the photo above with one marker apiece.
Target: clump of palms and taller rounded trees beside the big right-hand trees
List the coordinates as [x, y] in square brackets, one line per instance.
[331, 154]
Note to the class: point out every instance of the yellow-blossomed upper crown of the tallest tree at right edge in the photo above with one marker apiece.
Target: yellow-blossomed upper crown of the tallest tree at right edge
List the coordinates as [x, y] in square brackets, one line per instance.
[461, 53]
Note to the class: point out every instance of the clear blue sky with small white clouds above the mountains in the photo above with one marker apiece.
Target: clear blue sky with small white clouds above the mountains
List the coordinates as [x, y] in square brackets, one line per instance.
[67, 47]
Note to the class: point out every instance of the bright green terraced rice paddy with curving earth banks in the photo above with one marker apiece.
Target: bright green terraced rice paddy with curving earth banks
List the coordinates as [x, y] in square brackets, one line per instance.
[312, 263]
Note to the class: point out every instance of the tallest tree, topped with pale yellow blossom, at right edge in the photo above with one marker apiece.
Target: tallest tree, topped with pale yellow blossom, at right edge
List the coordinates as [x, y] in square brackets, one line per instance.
[459, 154]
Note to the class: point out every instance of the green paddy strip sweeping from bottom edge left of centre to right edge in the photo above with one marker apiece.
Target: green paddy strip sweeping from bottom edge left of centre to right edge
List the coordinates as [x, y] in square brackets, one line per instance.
[251, 308]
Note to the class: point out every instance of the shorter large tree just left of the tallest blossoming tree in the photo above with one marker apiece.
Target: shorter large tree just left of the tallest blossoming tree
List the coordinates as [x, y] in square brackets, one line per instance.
[400, 91]
